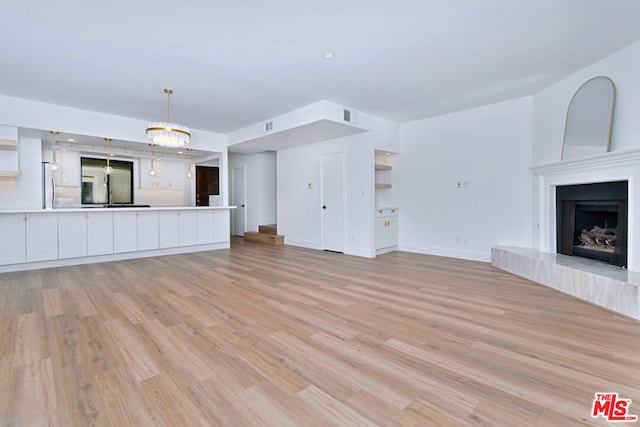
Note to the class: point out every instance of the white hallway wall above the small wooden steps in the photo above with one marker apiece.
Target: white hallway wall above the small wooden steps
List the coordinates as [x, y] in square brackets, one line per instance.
[260, 183]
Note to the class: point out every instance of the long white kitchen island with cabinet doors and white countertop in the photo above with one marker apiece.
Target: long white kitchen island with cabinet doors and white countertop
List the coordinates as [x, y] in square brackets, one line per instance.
[43, 238]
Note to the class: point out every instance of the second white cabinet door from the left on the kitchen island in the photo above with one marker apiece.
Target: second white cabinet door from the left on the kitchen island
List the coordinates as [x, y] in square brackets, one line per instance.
[41, 236]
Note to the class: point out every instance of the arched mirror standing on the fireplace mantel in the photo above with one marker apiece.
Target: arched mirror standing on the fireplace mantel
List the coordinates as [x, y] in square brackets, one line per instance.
[589, 119]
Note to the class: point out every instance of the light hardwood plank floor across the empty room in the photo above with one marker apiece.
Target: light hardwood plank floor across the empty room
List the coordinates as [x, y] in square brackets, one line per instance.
[258, 335]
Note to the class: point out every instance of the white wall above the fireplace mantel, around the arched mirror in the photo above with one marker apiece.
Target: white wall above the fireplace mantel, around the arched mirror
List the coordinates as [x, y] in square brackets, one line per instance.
[550, 106]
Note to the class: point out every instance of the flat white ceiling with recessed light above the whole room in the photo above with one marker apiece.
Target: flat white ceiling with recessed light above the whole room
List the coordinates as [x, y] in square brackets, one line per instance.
[235, 63]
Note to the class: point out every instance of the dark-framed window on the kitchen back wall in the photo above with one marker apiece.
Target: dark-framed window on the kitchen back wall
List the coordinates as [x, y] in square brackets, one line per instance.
[100, 188]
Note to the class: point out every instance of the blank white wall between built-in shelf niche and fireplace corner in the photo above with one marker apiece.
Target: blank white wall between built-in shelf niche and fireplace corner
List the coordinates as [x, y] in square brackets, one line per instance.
[486, 149]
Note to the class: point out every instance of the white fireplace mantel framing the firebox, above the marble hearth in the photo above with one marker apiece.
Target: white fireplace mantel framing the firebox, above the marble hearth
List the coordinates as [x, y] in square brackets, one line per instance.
[614, 166]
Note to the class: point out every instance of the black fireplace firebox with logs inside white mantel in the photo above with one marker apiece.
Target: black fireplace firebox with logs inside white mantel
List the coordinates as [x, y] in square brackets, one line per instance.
[592, 221]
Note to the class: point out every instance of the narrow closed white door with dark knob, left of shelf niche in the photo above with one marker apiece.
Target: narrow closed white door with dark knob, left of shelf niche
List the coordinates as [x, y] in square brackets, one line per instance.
[332, 203]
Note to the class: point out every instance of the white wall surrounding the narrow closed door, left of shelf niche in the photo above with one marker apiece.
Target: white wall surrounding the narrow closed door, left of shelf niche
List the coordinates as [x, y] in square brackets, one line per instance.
[299, 206]
